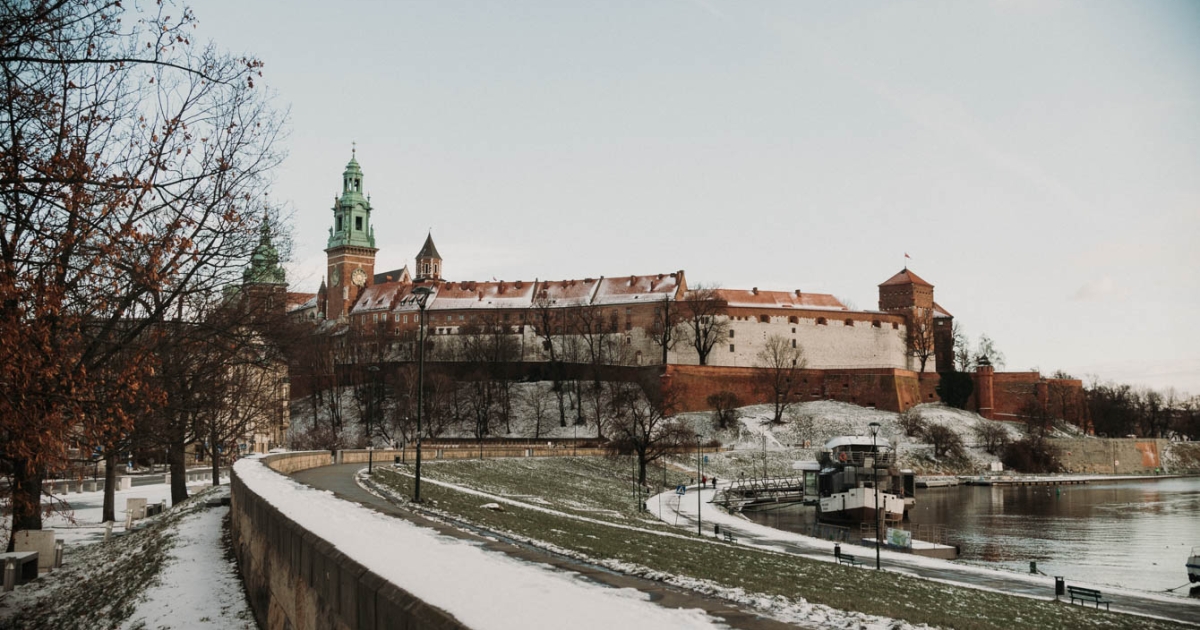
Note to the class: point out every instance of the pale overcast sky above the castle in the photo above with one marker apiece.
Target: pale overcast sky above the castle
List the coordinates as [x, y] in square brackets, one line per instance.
[1040, 161]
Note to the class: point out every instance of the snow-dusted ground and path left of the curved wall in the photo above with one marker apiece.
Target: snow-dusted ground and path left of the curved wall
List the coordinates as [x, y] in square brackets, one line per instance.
[169, 572]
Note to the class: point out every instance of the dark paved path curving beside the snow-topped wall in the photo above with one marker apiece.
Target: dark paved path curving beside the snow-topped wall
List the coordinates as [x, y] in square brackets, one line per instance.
[340, 481]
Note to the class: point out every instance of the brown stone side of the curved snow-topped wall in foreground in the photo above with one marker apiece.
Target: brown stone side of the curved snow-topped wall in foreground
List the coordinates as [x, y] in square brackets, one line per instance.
[296, 580]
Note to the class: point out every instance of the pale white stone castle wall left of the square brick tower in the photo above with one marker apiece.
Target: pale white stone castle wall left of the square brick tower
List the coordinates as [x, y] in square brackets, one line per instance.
[826, 346]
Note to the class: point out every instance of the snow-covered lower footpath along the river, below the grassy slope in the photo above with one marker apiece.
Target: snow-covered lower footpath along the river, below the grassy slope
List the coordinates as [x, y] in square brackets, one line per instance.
[1042, 587]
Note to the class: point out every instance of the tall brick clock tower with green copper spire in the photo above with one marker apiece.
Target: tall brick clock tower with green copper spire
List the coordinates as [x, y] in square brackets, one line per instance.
[351, 250]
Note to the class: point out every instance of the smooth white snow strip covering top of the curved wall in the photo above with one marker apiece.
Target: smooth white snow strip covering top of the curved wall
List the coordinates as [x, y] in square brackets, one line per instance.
[481, 589]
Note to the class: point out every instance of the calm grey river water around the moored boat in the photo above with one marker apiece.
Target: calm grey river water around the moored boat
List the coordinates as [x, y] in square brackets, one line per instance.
[1132, 535]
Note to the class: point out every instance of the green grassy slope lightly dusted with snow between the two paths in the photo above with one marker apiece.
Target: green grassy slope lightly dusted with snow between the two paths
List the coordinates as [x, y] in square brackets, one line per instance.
[601, 490]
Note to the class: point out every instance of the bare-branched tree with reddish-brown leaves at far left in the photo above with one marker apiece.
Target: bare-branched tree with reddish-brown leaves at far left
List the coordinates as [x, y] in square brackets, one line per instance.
[130, 163]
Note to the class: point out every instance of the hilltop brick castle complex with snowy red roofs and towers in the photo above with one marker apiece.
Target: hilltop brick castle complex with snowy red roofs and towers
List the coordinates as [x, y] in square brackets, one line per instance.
[886, 358]
